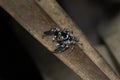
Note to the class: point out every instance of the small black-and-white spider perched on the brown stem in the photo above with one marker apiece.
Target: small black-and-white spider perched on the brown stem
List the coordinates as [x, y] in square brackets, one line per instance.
[64, 39]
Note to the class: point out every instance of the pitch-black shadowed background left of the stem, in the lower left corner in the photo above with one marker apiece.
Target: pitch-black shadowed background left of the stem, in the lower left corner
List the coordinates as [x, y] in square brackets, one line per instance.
[15, 64]
